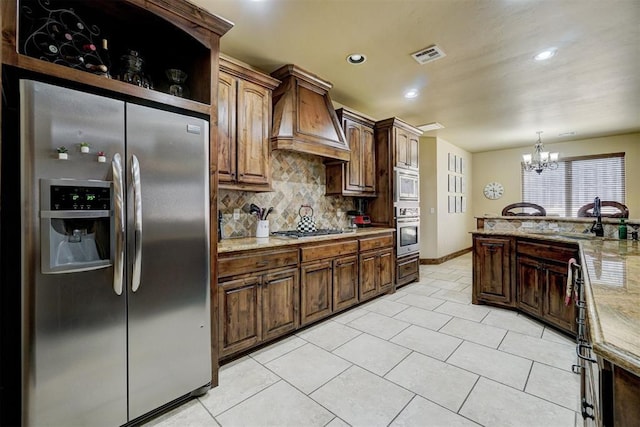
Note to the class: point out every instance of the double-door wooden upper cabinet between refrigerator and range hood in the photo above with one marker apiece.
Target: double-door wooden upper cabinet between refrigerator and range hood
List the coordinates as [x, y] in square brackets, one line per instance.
[244, 124]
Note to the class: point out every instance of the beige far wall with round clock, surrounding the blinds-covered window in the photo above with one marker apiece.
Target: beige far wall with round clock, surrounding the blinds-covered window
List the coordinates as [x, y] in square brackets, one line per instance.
[504, 166]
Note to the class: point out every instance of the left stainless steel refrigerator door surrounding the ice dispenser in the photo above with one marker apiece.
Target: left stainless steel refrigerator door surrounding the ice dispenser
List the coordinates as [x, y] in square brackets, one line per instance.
[74, 324]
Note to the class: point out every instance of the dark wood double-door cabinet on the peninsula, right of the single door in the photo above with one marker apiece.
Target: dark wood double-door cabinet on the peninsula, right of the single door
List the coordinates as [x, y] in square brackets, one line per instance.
[542, 282]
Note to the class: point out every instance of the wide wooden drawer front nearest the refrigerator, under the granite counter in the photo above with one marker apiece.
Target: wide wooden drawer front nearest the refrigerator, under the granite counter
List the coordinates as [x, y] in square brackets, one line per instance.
[255, 262]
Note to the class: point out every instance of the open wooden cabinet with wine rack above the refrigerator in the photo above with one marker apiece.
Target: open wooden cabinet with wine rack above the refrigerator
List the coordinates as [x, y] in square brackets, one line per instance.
[144, 39]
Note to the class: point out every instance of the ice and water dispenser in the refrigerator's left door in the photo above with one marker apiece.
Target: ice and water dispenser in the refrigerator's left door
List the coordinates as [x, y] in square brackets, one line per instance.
[75, 225]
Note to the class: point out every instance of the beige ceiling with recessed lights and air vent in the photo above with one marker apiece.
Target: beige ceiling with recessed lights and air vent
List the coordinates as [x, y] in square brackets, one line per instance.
[487, 91]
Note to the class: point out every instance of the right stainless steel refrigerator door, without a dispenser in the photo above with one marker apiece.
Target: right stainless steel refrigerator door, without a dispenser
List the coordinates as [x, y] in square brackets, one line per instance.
[168, 256]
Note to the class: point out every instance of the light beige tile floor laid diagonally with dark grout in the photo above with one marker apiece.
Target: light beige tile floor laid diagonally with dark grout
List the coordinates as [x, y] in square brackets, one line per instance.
[424, 356]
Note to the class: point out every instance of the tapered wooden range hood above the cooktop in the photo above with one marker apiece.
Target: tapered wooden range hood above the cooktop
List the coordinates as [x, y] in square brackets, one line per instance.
[303, 116]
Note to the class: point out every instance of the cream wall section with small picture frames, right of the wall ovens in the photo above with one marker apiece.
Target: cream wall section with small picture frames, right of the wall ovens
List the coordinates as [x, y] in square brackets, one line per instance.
[442, 233]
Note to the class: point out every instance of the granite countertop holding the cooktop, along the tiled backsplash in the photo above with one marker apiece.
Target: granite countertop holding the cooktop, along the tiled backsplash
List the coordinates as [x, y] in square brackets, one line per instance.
[249, 243]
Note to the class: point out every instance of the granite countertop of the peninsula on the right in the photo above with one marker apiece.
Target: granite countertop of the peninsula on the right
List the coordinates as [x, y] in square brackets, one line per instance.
[612, 287]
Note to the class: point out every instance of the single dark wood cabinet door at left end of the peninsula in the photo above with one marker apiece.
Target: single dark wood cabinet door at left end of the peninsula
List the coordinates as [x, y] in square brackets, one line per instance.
[492, 270]
